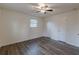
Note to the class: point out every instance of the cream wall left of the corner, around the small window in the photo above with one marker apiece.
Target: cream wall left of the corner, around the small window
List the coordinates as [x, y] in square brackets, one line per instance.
[15, 27]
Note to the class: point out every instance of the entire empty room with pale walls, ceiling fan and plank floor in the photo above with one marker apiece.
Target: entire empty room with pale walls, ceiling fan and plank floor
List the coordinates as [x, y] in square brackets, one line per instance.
[39, 29]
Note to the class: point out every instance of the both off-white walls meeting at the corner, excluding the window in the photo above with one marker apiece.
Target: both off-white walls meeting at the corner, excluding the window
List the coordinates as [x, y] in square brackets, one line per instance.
[15, 27]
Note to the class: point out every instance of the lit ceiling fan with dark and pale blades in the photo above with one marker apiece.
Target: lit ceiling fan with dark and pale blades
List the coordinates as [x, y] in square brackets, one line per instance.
[43, 8]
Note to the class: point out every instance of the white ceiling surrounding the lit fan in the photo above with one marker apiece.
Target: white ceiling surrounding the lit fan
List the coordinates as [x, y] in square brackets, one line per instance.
[27, 8]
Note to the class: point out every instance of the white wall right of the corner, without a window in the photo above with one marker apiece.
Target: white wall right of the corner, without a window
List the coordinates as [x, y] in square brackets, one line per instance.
[64, 27]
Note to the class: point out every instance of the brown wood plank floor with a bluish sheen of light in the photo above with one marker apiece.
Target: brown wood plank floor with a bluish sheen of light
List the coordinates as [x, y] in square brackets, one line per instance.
[39, 46]
